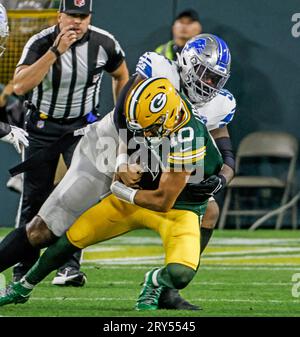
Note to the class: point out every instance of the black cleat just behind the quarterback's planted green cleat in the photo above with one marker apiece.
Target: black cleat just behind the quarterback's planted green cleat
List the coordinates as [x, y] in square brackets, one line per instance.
[171, 299]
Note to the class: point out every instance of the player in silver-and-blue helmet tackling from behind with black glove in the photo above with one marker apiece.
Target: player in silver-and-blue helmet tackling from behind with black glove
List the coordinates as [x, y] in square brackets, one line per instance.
[204, 68]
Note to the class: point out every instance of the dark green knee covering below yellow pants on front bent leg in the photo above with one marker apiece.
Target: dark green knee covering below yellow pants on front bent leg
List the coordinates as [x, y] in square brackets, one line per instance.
[180, 274]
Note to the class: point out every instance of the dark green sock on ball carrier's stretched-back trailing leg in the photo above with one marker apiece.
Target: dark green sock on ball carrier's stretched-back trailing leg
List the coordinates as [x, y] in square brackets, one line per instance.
[53, 258]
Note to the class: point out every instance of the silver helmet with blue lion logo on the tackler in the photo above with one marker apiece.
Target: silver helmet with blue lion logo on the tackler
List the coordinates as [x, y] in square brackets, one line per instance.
[204, 67]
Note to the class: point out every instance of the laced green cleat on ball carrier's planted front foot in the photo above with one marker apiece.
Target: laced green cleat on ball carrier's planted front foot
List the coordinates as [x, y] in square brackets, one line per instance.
[149, 295]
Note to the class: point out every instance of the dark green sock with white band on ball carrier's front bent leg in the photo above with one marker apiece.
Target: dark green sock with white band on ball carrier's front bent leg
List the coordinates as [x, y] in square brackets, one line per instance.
[174, 275]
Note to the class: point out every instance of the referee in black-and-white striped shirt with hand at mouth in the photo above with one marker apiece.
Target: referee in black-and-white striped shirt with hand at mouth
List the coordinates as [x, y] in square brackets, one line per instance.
[62, 67]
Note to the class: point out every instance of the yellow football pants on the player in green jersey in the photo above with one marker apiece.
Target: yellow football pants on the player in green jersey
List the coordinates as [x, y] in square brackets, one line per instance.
[179, 229]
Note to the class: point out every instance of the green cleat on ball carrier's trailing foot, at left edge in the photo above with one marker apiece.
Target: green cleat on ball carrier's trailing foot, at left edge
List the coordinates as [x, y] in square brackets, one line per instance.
[14, 293]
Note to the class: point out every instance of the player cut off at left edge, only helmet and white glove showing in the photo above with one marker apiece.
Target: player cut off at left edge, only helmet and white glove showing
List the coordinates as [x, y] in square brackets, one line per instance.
[9, 133]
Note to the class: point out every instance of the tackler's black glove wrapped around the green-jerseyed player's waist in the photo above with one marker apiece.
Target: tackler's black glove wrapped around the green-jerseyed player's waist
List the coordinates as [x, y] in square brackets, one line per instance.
[207, 188]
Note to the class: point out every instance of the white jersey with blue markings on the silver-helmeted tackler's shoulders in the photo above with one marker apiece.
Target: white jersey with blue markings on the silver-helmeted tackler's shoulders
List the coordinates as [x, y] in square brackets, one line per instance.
[215, 114]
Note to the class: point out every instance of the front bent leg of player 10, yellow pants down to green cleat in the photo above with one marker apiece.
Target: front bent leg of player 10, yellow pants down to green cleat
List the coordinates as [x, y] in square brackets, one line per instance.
[180, 235]
